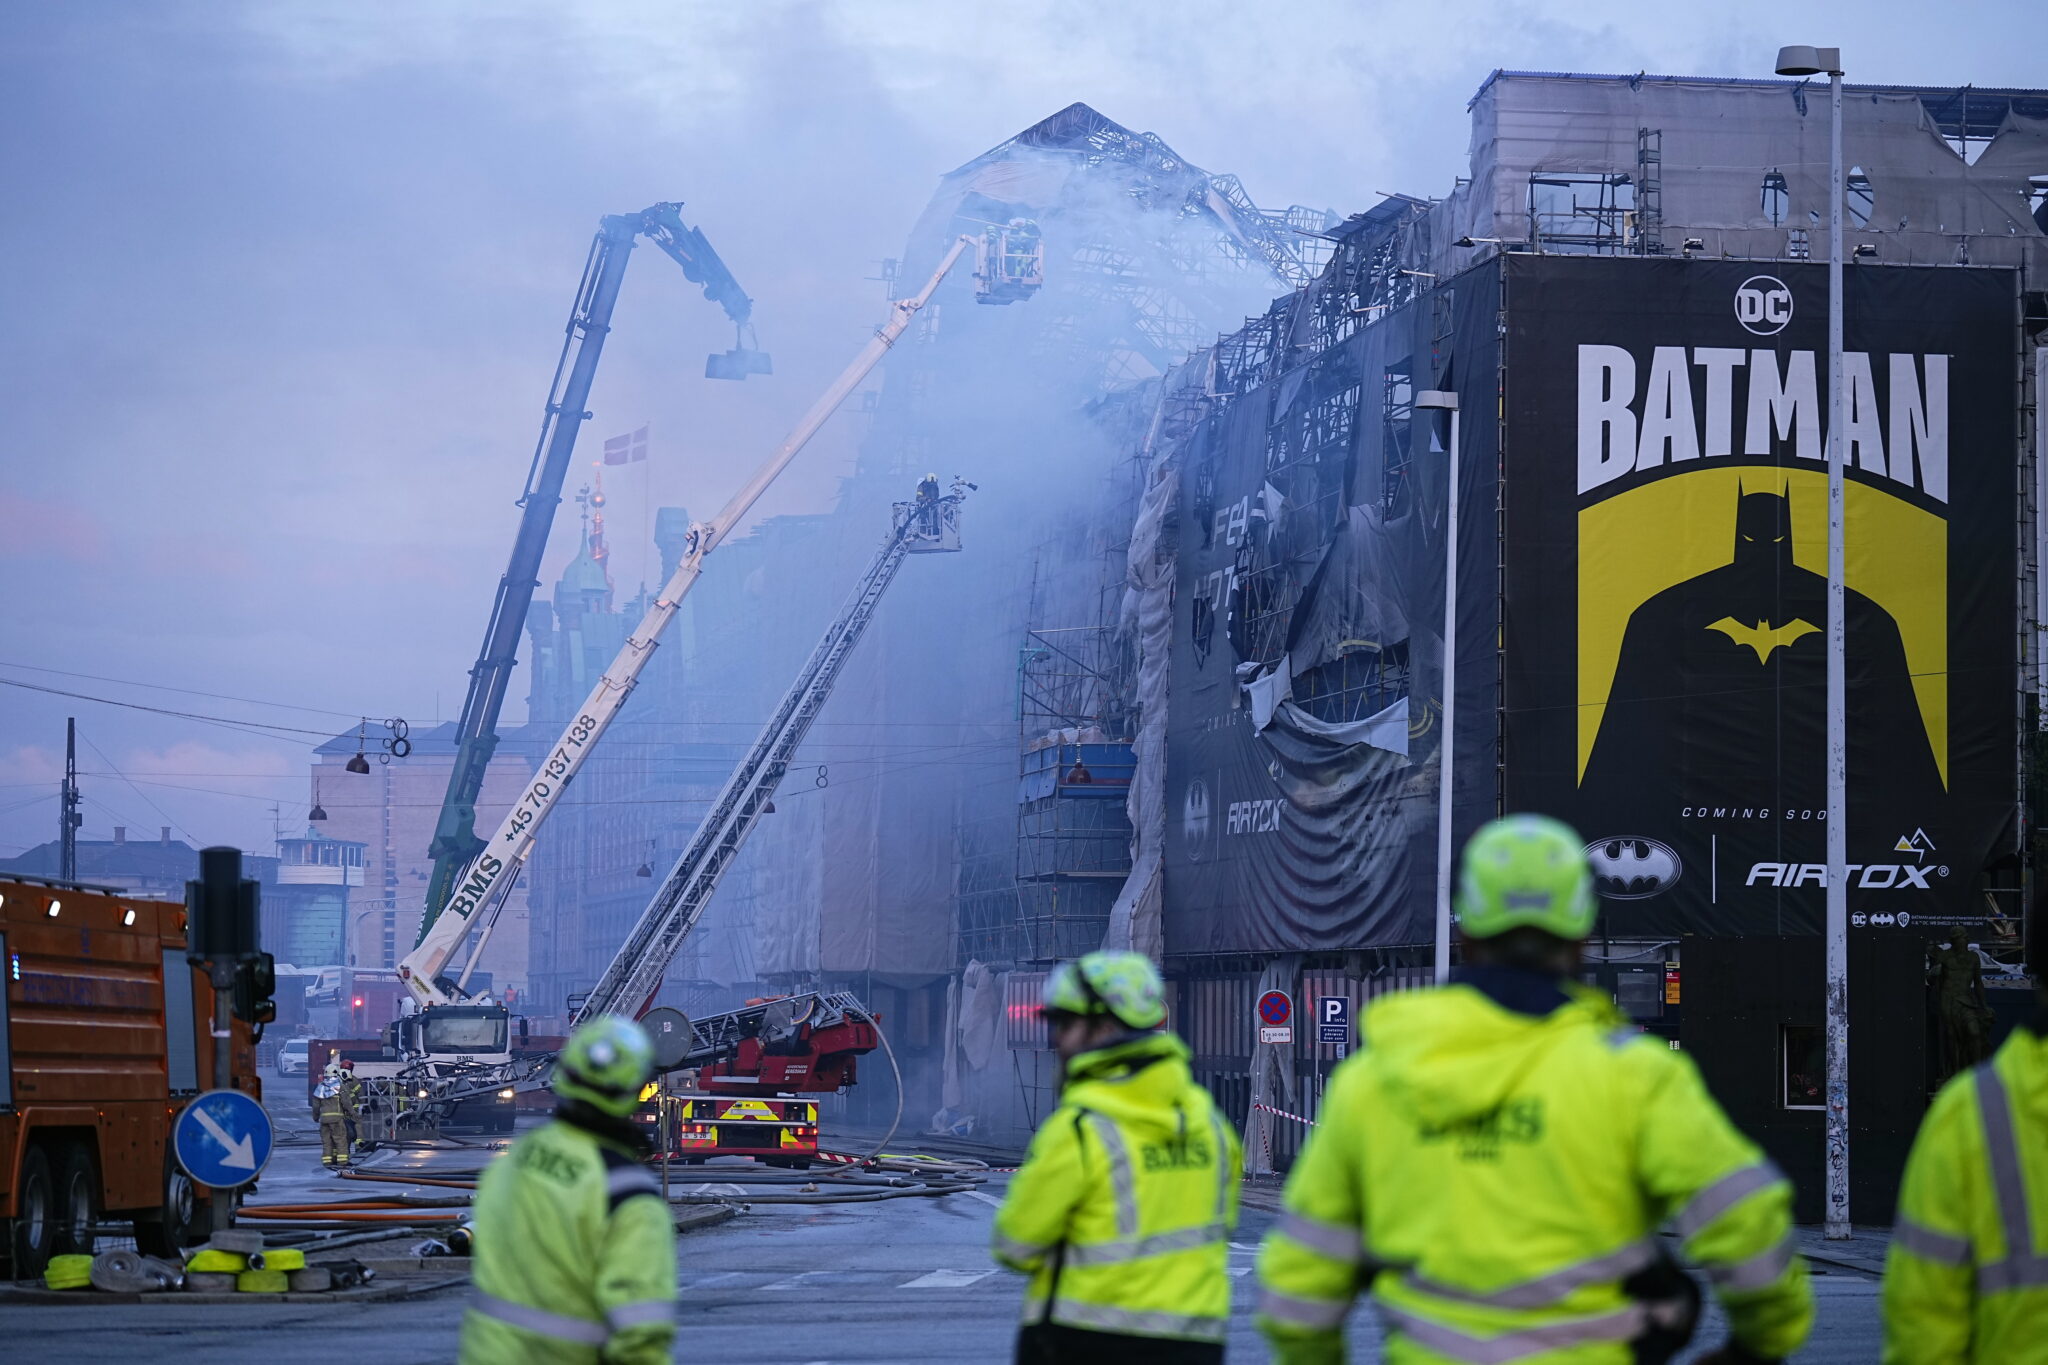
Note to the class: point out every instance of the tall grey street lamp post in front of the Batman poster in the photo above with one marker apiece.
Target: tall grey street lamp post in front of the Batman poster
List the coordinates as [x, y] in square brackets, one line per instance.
[1814, 62]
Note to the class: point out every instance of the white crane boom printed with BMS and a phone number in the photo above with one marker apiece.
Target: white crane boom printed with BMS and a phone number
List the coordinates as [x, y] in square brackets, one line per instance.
[488, 877]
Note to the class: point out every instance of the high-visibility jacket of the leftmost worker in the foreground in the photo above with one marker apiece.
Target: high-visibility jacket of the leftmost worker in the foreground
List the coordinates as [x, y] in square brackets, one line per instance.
[574, 1256]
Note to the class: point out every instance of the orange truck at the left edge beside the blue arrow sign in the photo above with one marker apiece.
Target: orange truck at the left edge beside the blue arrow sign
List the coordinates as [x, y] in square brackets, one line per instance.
[105, 1034]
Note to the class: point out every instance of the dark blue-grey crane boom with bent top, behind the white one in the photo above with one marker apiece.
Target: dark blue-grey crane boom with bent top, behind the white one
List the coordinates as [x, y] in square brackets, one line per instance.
[476, 736]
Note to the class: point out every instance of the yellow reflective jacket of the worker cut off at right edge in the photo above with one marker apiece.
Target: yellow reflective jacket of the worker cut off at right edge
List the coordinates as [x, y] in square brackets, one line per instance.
[1967, 1276]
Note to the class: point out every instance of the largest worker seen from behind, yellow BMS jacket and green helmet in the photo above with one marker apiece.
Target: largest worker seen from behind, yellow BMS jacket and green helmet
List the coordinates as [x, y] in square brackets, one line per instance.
[1498, 1155]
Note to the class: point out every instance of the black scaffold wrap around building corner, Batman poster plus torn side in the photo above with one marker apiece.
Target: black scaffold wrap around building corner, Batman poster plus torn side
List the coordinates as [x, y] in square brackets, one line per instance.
[1641, 601]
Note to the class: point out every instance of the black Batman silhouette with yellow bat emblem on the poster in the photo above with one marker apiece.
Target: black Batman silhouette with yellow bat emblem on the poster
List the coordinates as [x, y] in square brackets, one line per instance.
[1721, 693]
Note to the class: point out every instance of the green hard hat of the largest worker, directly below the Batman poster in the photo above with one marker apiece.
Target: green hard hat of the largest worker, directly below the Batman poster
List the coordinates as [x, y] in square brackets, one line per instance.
[1525, 871]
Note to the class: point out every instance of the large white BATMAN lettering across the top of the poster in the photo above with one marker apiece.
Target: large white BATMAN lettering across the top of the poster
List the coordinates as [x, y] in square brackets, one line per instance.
[1754, 400]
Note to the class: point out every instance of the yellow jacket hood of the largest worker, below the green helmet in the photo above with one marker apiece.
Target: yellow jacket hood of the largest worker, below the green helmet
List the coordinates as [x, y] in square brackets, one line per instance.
[1451, 1053]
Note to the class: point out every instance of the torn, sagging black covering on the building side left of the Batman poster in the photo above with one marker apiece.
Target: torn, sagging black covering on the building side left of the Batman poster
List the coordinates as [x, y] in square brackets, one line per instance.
[1308, 637]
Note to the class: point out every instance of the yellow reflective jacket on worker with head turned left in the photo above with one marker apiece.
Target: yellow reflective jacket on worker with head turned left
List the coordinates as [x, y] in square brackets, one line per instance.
[1123, 1208]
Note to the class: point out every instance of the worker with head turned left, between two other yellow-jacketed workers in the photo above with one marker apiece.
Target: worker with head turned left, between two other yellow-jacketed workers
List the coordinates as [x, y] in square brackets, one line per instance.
[1125, 1204]
